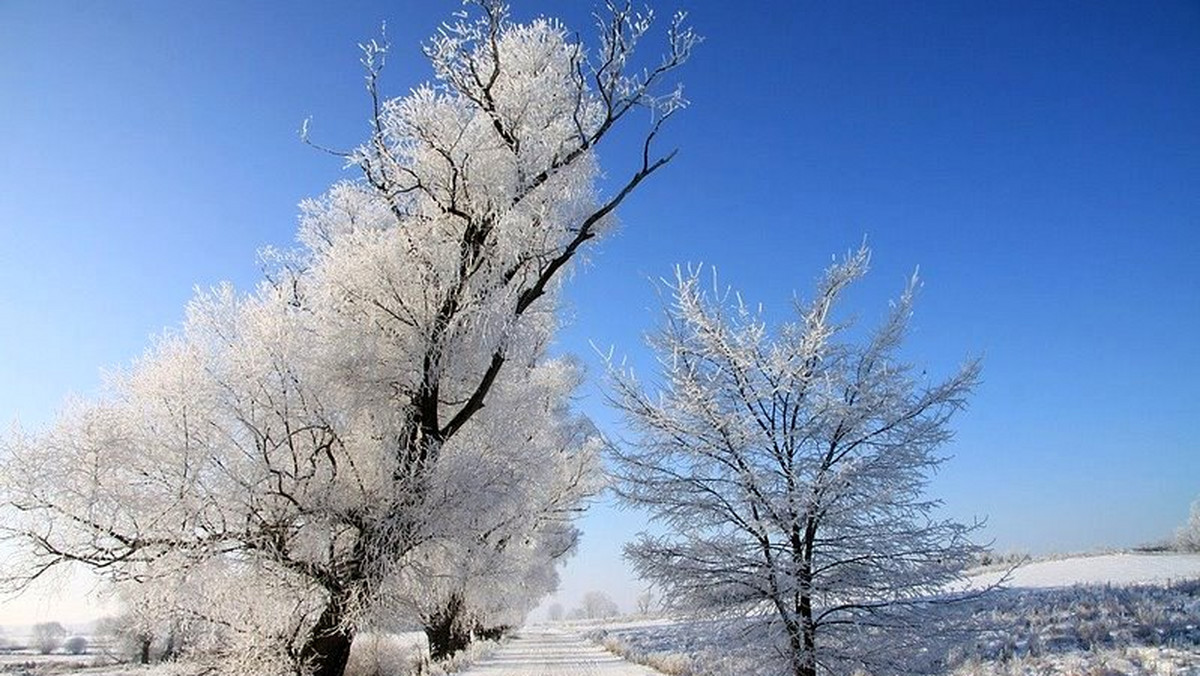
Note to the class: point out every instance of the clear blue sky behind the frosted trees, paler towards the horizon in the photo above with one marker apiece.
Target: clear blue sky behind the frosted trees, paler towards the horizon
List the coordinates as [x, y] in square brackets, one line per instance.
[1042, 166]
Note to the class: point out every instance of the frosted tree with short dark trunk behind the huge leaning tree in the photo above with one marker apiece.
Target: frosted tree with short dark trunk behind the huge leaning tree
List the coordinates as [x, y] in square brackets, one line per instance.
[505, 555]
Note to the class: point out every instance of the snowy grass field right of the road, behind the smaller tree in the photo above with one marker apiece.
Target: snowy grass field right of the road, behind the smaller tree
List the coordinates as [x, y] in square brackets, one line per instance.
[1121, 614]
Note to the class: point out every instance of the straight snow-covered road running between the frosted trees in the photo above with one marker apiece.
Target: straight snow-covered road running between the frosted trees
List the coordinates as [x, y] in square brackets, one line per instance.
[555, 653]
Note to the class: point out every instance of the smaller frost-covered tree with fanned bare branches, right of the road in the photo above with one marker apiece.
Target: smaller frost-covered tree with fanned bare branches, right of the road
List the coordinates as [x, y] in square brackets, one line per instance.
[788, 469]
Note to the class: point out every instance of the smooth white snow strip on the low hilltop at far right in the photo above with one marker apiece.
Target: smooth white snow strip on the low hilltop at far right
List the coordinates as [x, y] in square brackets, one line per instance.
[1105, 570]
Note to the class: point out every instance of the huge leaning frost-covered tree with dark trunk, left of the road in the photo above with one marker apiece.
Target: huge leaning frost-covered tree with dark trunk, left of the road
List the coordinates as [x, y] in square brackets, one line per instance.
[308, 450]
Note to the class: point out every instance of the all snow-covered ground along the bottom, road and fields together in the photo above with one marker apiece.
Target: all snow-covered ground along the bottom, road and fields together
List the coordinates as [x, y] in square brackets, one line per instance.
[1118, 614]
